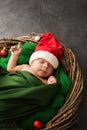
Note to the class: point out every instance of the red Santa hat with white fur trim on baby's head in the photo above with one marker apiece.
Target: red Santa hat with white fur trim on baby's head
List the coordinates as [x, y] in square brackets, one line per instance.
[48, 48]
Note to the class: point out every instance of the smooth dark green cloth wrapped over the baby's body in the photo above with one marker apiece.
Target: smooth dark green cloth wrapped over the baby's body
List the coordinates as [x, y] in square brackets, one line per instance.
[21, 93]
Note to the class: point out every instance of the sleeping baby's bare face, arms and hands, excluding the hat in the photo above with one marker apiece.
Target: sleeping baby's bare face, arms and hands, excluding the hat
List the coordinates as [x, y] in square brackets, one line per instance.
[39, 67]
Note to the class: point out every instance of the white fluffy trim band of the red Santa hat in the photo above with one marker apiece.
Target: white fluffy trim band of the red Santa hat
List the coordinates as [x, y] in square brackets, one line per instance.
[45, 55]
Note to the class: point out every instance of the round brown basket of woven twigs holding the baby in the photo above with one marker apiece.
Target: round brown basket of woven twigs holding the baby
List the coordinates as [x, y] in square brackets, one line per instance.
[67, 115]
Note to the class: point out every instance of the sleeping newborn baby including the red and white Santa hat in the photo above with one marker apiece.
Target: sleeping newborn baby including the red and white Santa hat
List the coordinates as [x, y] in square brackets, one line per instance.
[42, 62]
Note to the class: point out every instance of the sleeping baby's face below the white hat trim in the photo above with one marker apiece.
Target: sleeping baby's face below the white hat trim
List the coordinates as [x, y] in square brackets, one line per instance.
[42, 68]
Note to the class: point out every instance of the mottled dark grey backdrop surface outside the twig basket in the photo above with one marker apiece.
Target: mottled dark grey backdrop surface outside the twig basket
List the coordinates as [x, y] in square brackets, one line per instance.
[67, 19]
